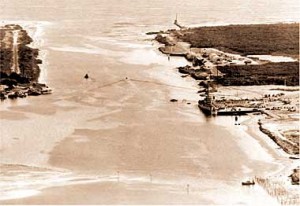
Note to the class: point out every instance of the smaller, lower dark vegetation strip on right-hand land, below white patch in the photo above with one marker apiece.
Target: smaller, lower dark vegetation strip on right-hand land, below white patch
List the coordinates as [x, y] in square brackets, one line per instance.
[283, 73]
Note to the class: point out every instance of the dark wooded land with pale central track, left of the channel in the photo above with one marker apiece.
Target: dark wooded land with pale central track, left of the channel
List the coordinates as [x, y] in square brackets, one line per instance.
[19, 65]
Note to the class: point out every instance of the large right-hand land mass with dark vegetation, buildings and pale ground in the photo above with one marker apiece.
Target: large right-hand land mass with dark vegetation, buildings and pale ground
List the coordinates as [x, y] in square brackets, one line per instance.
[235, 61]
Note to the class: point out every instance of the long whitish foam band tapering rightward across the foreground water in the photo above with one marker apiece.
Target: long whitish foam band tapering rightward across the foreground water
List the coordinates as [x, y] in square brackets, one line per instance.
[20, 181]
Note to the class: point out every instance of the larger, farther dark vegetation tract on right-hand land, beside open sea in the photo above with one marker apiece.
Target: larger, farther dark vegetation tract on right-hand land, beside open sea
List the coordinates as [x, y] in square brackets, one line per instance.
[280, 39]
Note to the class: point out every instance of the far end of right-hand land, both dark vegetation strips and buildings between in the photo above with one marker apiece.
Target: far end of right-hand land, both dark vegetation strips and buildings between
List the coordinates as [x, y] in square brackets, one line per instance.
[238, 51]
